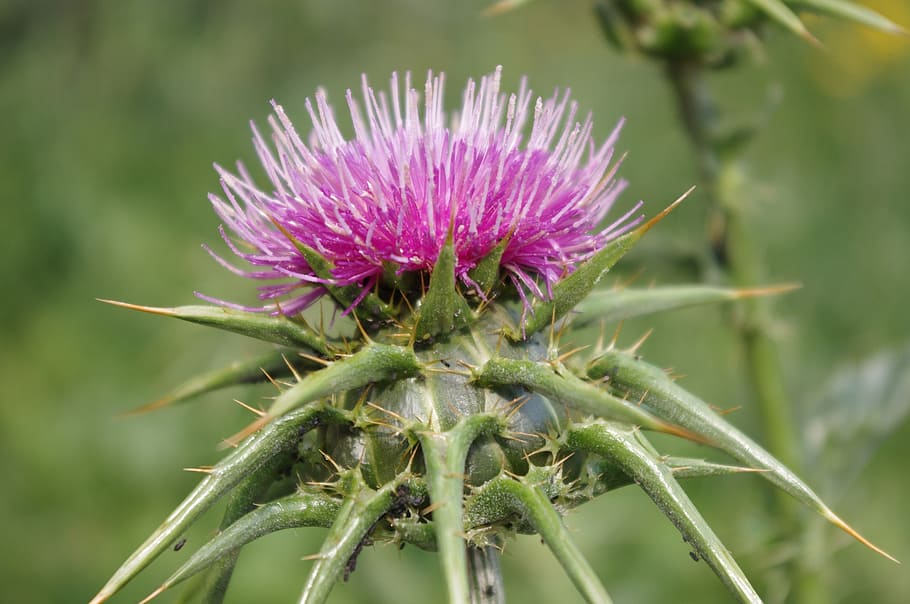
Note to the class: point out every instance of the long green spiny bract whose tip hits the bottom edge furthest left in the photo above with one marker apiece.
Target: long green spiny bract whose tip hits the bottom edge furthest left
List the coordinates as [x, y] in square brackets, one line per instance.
[281, 435]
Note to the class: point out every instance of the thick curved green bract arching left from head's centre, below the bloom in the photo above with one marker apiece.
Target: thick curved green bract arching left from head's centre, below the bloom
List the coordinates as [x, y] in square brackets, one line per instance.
[372, 363]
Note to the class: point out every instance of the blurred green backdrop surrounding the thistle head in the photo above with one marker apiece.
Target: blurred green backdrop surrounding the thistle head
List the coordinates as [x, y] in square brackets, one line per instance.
[113, 112]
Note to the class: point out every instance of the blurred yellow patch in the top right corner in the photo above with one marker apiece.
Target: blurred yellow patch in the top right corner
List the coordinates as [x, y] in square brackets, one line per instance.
[855, 56]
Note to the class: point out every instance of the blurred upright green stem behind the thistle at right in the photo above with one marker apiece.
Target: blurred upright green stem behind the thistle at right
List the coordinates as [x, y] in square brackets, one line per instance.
[734, 258]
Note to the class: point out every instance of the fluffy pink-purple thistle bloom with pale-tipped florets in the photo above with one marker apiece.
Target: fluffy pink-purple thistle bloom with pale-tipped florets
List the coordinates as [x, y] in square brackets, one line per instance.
[389, 196]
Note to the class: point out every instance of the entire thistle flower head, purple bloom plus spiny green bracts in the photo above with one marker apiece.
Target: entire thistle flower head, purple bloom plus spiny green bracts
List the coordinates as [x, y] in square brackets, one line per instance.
[449, 418]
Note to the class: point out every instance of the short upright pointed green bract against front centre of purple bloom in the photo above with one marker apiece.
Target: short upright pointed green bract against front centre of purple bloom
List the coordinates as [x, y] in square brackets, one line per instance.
[442, 307]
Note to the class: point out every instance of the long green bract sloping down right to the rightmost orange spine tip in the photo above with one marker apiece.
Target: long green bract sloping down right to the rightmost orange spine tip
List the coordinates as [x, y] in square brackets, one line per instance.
[667, 400]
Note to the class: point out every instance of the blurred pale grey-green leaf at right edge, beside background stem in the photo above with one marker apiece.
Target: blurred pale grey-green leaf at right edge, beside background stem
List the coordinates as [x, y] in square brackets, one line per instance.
[854, 412]
